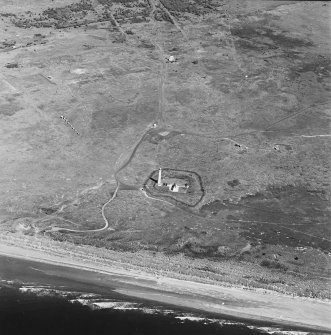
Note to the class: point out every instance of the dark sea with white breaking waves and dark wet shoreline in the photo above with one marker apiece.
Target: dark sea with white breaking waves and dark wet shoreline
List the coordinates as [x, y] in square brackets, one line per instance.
[37, 298]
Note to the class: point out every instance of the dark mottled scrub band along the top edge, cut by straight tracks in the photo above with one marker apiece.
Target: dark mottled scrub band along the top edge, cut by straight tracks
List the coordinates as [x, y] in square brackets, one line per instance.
[126, 11]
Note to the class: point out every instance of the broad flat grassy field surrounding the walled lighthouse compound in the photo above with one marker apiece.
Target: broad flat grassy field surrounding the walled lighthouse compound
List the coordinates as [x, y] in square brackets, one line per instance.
[90, 106]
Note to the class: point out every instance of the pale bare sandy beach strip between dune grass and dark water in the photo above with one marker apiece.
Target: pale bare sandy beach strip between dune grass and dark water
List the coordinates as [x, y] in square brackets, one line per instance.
[233, 301]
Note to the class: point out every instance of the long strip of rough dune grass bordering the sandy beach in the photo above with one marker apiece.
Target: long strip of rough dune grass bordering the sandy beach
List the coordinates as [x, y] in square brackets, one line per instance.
[226, 273]
